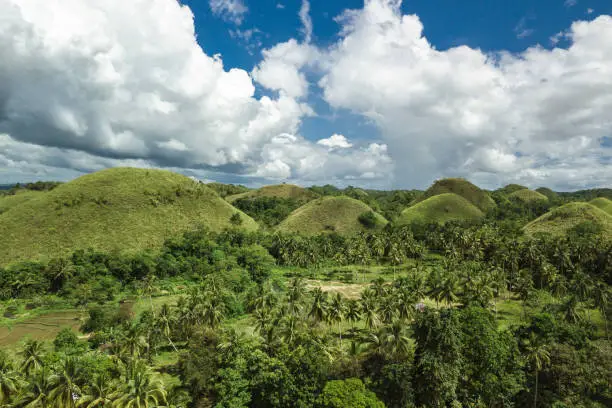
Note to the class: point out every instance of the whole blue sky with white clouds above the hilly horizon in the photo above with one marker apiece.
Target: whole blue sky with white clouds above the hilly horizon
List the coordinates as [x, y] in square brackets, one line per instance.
[375, 93]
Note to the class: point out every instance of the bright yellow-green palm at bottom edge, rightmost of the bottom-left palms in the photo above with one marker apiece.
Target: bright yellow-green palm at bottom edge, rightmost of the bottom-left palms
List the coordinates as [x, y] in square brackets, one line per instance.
[141, 390]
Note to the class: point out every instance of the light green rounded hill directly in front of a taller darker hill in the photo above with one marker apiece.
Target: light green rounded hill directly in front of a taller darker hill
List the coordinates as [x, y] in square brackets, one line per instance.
[440, 209]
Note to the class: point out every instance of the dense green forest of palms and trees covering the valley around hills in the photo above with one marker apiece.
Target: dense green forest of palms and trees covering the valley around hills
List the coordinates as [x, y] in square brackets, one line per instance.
[461, 313]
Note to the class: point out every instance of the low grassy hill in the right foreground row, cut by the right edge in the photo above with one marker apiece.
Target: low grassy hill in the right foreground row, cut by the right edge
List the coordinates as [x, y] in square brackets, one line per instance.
[562, 219]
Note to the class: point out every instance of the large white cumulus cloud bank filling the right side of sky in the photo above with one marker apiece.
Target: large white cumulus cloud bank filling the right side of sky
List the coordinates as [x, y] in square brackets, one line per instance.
[461, 111]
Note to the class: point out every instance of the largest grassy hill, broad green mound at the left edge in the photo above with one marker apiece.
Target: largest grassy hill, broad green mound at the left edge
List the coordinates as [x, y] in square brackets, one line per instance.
[115, 209]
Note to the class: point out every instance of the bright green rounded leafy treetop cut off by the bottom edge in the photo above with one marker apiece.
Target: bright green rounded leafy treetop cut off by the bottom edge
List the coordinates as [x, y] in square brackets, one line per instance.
[349, 393]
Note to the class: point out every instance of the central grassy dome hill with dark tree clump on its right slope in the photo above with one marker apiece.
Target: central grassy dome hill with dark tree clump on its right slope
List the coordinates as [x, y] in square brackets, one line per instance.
[329, 214]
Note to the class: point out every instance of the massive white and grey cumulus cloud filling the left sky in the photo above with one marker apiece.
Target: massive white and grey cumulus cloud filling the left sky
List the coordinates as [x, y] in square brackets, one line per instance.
[113, 82]
